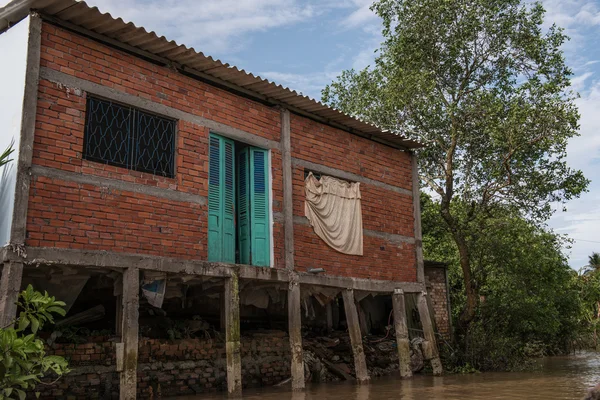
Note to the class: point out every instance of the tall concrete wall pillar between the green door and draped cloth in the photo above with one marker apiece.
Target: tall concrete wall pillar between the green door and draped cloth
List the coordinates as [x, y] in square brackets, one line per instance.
[288, 205]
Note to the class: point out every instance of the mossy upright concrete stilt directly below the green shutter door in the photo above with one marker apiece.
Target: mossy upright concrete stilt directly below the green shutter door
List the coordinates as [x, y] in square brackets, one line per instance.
[232, 335]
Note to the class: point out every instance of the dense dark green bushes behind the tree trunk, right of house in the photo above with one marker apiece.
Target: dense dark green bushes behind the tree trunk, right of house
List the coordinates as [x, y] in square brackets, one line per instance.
[530, 302]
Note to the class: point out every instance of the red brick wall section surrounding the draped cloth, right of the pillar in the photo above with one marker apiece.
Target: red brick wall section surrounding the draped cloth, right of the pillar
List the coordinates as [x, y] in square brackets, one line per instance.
[383, 210]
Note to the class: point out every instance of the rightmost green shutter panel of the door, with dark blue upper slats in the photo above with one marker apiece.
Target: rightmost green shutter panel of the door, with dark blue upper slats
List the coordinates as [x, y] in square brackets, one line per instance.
[259, 208]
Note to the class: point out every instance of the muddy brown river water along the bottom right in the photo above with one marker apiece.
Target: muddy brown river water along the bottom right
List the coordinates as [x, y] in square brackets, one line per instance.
[557, 378]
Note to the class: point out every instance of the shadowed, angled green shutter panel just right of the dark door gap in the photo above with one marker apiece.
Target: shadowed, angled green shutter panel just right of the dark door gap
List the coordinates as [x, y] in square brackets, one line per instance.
[244, 206]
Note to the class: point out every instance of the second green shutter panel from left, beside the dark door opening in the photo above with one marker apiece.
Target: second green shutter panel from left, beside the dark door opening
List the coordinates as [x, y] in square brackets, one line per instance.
[229, 203]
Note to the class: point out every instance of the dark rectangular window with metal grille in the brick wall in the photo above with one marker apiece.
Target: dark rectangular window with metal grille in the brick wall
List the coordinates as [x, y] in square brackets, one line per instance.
[130, 138]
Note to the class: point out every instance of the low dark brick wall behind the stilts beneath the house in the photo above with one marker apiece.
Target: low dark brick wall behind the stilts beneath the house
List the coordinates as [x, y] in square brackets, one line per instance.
[169, 368]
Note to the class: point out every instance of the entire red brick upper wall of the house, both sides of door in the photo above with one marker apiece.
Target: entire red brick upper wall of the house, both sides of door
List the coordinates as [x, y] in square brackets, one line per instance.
[70, 215]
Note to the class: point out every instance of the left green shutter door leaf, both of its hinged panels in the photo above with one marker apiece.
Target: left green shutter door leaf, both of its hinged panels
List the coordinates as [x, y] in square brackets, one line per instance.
[221, 200]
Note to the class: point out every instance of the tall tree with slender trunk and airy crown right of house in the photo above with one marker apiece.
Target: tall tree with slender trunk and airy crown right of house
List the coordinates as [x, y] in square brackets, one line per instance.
[487, 91]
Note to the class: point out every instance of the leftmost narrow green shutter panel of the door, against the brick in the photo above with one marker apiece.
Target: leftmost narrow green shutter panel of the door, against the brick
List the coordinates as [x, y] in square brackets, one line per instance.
[215, 205]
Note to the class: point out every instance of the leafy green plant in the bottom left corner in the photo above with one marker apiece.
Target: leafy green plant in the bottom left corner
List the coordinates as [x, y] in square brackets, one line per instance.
[23, 359]
